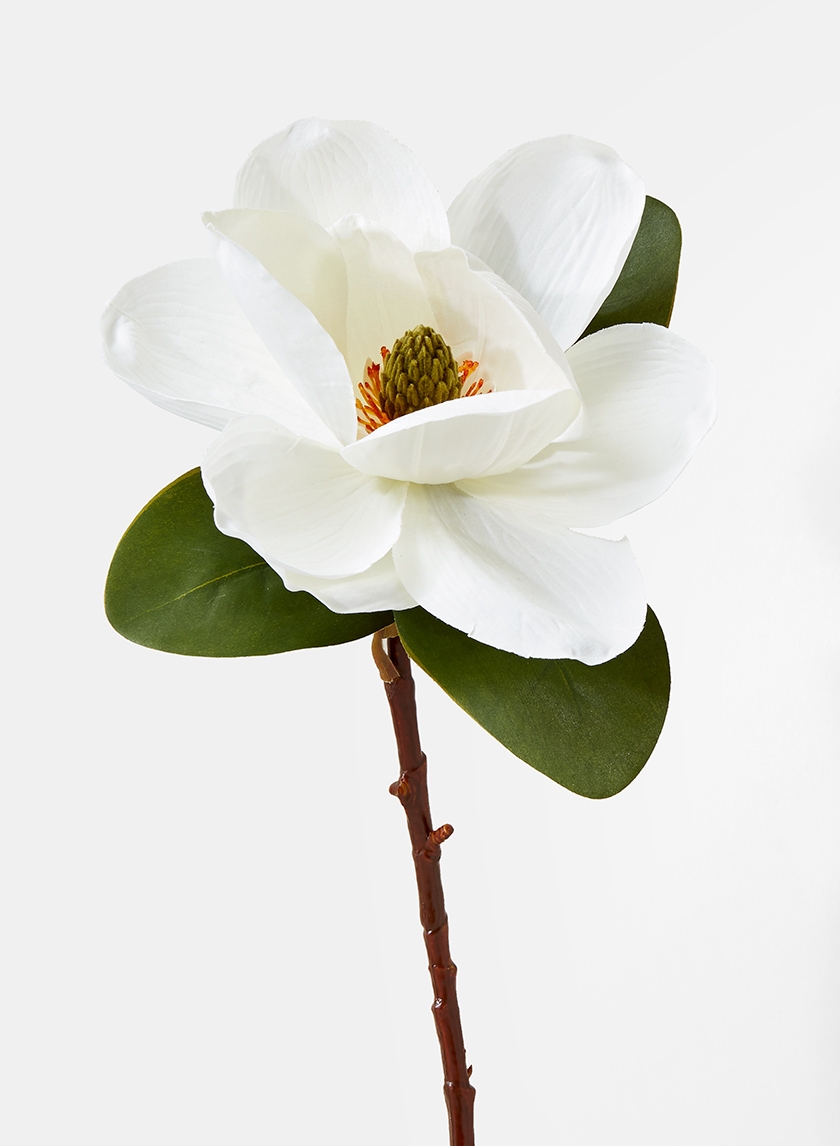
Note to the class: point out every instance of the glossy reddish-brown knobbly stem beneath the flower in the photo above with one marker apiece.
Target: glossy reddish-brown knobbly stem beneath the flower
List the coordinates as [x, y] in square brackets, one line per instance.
[413, 794]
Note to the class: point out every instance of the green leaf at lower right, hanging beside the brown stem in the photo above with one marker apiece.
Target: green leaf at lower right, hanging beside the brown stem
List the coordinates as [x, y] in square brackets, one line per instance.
[590, 728]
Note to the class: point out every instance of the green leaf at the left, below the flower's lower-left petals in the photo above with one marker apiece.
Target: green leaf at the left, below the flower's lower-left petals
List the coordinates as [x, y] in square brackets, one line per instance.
[178, 585]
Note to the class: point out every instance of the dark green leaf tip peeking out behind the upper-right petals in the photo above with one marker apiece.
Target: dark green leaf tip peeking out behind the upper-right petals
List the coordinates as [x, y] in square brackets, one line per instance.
[646, 288]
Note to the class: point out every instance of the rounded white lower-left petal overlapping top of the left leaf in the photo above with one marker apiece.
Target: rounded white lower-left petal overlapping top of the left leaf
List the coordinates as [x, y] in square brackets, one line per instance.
[297, 503]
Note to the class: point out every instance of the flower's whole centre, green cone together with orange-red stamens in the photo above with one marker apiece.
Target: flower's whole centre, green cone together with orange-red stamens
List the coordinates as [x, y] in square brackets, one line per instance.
[420, 372]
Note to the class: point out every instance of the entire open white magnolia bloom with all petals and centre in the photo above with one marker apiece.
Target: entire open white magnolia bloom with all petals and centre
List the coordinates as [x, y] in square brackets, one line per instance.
[456, 470]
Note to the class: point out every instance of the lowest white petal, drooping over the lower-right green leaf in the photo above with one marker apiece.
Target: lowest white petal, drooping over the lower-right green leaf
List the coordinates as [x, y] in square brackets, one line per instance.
[513, 578]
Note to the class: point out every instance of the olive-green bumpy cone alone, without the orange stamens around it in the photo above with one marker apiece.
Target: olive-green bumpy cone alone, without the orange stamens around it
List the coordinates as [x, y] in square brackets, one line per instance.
[419, 372]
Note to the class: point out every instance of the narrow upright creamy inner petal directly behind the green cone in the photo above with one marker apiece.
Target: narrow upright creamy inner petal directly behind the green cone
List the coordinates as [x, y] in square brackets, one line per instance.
[386, 293]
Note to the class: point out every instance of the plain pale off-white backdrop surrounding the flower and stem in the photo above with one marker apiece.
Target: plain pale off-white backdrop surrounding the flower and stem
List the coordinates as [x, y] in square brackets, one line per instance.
[210, 933]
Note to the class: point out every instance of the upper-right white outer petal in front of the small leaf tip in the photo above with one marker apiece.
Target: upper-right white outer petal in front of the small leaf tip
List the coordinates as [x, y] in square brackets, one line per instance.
[555, 219]
